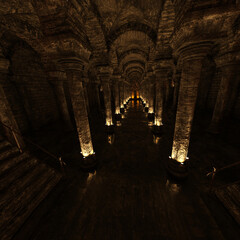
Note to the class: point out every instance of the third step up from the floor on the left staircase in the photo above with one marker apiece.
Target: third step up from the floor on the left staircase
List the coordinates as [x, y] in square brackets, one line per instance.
[17, 172]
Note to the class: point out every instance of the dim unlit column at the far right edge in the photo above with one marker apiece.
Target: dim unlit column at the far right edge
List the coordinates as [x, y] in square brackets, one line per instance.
[229, 67]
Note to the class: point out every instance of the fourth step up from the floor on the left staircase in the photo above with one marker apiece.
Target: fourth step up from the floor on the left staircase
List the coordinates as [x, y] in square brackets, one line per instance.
[9, 163]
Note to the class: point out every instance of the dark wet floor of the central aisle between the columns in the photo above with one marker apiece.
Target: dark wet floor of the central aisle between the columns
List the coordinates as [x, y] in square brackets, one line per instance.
[130, 195]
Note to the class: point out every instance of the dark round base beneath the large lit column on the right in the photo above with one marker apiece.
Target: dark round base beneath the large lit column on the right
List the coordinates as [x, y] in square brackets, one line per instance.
[176, 169]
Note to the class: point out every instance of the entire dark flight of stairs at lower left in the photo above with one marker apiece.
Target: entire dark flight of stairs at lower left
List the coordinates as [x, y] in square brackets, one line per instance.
[24, 183]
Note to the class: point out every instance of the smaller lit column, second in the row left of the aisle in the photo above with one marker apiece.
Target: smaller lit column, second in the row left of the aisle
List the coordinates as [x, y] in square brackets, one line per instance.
[104, 75]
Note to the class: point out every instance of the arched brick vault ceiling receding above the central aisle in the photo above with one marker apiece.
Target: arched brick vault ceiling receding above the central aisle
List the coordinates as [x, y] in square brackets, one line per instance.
[130, 28]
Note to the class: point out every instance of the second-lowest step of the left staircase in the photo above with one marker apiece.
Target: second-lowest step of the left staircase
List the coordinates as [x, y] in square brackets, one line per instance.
[17, 186]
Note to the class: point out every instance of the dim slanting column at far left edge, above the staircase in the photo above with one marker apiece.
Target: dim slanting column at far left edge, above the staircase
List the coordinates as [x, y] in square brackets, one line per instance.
[6, 114]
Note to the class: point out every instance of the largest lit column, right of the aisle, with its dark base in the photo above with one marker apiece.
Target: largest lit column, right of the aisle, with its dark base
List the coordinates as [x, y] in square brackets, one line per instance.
[192, 56]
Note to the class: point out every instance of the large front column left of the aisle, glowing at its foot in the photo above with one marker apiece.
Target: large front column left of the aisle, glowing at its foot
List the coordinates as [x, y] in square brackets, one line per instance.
[73, 68]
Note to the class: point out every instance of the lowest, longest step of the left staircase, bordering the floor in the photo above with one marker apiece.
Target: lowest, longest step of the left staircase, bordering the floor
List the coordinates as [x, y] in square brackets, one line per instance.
[33, 195]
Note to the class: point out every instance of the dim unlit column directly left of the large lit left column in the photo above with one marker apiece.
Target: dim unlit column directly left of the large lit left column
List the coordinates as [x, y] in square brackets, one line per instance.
[57, 79]
